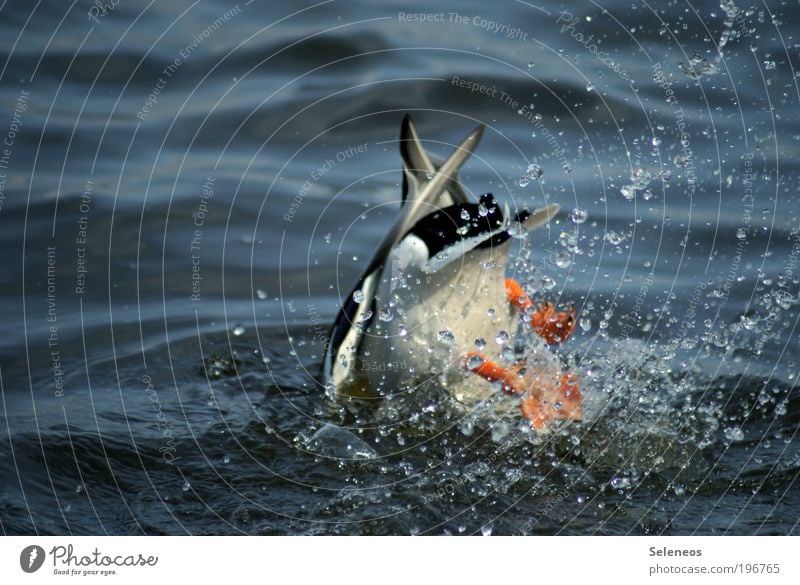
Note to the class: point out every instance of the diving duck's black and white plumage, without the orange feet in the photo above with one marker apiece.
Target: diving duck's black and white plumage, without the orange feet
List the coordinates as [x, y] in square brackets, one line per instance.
[435, 287]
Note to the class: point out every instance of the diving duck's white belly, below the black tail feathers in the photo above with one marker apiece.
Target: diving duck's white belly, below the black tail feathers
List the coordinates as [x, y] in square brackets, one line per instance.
[429, 322]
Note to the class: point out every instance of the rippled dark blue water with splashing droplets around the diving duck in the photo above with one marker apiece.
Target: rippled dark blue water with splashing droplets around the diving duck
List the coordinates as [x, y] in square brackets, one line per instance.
[184, 204]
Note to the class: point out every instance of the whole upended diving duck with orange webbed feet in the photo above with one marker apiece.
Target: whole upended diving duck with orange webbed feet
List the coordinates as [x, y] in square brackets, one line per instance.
[434, 304]
